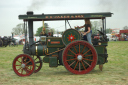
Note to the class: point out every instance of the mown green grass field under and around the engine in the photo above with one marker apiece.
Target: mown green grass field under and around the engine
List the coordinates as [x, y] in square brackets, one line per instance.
[115, 72]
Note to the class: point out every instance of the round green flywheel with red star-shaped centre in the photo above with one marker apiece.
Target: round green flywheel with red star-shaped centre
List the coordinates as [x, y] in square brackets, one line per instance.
[70, 33]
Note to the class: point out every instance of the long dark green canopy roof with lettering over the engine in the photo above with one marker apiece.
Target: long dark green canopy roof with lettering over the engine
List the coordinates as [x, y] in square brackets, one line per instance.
[73, 16]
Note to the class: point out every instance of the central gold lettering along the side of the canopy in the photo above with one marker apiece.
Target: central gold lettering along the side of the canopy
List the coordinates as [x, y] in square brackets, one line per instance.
[59, 17]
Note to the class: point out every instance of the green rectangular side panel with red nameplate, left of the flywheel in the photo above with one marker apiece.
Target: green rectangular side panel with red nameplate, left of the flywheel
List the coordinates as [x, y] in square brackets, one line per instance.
[54, 42]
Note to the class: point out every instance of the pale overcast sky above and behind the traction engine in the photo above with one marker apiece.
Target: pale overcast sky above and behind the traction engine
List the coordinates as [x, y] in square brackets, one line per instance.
[11, 9]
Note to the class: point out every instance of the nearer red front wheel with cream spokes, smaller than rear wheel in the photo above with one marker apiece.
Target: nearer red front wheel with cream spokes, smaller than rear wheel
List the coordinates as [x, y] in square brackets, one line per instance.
[21, 67]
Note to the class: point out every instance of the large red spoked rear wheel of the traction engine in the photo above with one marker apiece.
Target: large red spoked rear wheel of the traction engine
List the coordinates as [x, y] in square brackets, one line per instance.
[75, 65]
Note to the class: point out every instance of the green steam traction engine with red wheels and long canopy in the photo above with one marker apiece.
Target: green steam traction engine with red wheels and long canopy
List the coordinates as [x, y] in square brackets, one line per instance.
[77, 55]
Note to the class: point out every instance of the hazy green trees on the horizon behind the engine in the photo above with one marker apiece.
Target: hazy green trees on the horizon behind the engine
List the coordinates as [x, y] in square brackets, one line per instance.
[95, 25]
